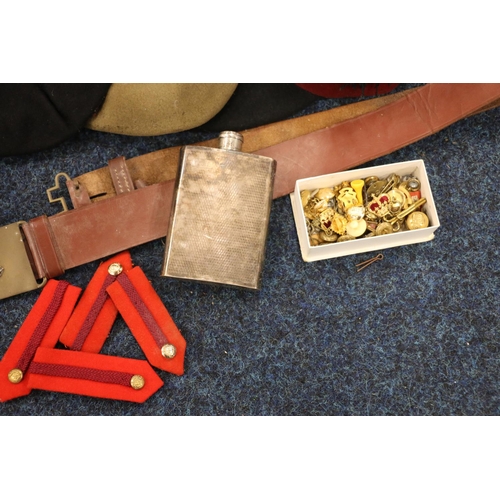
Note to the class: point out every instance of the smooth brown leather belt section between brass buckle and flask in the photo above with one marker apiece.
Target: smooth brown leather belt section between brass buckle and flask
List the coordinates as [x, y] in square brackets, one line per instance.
[96, 230]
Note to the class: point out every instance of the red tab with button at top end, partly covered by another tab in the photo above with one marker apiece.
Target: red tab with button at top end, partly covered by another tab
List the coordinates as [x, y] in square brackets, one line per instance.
[91, 322]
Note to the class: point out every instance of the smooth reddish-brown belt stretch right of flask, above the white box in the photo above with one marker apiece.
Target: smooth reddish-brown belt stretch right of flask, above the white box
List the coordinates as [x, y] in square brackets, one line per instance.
[417, 115]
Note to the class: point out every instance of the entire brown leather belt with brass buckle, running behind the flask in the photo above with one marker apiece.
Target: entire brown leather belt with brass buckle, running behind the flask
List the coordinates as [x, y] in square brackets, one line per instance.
[128, 203]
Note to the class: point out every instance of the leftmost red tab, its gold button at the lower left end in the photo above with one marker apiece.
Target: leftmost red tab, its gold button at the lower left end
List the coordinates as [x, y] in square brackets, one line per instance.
[41, 328]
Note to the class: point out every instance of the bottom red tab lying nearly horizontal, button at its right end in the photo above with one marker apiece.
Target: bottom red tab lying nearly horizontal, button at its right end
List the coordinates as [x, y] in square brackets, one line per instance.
[90, 374]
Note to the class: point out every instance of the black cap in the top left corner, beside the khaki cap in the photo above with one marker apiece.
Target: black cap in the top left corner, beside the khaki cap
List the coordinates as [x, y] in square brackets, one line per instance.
[37, 116]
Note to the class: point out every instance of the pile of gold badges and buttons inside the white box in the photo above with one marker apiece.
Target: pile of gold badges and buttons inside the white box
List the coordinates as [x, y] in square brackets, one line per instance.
[363, 208]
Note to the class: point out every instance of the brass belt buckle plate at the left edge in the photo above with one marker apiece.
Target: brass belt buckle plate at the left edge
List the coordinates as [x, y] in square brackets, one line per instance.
[16, 273]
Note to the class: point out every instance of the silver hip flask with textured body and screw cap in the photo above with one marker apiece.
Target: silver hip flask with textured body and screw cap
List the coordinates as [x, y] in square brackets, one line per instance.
[220, 215]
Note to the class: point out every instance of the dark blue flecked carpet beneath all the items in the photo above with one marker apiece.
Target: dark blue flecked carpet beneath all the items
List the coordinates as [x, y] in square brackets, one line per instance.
[414, 334]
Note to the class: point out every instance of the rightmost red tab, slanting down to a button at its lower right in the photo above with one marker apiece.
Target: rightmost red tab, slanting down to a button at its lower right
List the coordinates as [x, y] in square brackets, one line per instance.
[148, 319]
